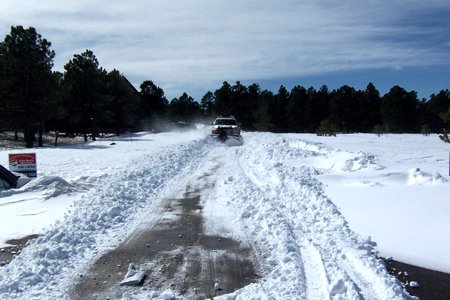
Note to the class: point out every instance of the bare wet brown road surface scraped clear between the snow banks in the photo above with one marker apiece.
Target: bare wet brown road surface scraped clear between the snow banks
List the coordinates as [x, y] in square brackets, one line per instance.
[176, 255]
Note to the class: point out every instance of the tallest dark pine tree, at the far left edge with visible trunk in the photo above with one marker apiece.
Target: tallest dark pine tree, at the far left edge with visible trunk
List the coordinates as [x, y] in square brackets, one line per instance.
[25, 78]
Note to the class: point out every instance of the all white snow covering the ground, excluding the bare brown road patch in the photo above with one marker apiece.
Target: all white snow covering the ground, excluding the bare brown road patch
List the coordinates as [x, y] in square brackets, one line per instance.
[307, 204]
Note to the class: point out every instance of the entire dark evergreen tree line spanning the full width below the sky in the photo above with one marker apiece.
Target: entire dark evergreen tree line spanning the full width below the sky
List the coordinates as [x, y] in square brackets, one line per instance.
[86, 99]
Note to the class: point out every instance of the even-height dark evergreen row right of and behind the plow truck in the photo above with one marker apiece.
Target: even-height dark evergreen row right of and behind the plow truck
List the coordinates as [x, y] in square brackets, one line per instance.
[347, 110]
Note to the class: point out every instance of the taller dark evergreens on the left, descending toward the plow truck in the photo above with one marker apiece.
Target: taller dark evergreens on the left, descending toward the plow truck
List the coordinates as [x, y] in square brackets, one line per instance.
[84, 100]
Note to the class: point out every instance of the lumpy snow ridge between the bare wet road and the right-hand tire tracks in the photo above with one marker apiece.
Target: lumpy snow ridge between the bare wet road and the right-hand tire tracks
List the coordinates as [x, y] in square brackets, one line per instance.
[271, 234]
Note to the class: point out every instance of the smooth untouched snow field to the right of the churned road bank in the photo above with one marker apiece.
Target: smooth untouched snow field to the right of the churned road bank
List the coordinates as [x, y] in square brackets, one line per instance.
[394, 188]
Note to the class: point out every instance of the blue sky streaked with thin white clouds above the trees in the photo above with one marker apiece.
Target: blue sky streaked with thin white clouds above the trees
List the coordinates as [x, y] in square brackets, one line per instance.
[194, 45]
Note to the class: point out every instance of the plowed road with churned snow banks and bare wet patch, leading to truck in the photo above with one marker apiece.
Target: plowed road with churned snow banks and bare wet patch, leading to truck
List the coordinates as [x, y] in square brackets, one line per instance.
[254, 202]
